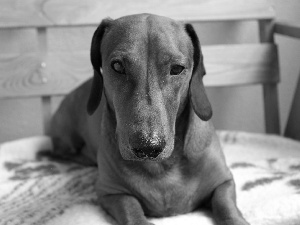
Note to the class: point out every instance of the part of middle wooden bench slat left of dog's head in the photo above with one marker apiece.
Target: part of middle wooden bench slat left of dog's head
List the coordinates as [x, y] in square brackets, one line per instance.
[25, 75]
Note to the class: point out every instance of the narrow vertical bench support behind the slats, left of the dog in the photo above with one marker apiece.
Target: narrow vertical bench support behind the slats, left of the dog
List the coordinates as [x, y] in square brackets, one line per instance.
[46, 100]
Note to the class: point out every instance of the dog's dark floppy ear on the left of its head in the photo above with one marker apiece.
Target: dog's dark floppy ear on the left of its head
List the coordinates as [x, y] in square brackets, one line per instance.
[96, 59]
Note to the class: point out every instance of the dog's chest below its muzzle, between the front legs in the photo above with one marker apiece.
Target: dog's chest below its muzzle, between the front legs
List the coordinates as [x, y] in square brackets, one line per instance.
[170, 194]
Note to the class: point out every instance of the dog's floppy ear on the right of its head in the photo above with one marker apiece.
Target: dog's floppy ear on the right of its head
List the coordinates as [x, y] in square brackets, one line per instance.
[197, 93]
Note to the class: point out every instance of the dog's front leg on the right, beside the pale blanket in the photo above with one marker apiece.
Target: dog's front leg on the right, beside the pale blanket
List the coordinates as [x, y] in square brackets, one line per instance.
[224, 207]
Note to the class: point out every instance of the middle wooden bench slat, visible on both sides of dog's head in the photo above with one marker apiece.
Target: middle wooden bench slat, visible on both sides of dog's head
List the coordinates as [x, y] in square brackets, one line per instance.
[23, 75]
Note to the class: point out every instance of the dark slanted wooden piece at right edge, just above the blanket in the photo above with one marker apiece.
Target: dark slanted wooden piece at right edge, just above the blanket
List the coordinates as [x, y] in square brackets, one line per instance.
[292, 129]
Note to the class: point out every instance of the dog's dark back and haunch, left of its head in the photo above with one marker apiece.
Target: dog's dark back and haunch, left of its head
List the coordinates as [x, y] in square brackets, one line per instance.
[67, 128]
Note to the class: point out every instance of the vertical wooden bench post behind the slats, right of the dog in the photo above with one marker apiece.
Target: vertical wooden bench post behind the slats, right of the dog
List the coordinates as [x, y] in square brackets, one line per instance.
[270, 91]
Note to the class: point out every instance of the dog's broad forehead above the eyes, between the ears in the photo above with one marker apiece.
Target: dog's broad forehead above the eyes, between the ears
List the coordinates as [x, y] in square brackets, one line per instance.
[164, 39]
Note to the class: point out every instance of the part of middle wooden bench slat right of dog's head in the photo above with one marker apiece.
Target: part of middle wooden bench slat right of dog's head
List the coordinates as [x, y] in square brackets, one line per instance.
[230, 65]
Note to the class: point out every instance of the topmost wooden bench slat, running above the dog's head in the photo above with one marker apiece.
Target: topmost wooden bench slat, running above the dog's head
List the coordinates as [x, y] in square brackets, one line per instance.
[49, 13]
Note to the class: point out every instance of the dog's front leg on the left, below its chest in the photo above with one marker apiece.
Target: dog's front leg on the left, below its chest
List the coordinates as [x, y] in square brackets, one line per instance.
[125, 209]
